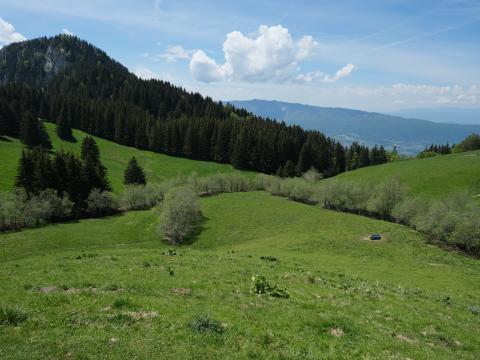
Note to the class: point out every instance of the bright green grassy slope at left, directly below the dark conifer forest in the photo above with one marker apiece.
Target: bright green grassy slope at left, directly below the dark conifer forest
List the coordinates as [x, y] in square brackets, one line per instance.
[115, 157]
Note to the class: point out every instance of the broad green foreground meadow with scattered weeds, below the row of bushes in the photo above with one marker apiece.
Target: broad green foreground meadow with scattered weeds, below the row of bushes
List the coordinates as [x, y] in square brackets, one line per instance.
[388, 297]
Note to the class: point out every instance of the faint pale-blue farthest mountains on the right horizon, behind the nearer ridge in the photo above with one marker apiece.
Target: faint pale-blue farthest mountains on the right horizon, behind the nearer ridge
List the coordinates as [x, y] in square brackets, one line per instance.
[442, 115]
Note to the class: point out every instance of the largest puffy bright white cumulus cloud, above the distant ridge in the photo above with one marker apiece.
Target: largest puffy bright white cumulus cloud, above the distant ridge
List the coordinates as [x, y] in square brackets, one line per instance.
[273, 55]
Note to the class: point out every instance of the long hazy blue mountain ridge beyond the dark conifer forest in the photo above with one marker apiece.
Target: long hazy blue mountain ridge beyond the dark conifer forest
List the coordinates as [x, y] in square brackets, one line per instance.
[346, 125]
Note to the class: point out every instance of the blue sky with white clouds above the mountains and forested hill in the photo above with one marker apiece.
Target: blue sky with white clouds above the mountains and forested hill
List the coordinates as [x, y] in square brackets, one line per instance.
[373, 55]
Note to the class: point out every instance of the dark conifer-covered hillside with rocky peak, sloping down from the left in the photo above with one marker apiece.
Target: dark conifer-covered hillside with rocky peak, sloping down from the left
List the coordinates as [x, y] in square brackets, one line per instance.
[64, 79]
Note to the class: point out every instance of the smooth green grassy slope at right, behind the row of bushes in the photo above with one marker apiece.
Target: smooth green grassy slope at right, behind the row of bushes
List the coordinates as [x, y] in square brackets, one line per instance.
[432, 177]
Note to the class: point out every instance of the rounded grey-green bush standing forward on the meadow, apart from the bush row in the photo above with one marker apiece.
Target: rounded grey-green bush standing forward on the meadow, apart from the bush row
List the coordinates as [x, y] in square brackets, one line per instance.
[180, 216]
